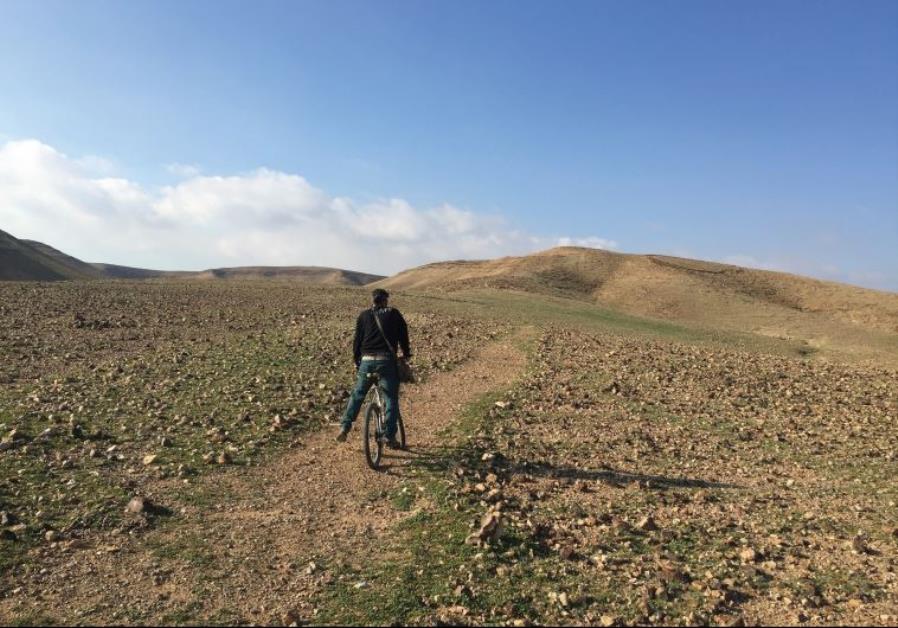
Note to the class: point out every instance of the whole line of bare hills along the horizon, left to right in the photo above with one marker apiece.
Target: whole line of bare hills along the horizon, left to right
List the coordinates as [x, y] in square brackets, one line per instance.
[656, 286]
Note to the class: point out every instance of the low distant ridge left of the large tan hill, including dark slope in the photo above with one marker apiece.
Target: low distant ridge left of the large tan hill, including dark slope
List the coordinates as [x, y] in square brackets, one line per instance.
[28, 260]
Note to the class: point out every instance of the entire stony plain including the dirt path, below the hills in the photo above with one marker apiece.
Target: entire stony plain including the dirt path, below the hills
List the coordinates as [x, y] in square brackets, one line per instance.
[569, 474]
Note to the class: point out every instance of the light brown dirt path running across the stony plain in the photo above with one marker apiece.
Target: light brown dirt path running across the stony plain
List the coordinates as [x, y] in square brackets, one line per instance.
[257, 544]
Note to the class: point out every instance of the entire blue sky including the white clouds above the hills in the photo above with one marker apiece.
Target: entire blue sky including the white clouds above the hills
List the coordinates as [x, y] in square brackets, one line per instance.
[763, 133]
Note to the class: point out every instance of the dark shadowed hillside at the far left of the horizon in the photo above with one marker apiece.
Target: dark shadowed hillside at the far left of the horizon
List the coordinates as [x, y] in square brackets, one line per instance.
[28, 260]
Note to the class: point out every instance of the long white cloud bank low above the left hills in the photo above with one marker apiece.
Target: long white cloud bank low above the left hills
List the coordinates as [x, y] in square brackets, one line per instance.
[261, 217]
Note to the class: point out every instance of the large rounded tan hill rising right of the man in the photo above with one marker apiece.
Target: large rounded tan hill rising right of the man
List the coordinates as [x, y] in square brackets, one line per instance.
[708, 294]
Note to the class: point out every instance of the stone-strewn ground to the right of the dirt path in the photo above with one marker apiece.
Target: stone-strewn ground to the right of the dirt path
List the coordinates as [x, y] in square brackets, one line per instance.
[661, 483]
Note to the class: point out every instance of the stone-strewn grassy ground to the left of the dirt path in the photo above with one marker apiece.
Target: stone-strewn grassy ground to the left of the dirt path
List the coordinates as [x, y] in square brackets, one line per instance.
[105, 388]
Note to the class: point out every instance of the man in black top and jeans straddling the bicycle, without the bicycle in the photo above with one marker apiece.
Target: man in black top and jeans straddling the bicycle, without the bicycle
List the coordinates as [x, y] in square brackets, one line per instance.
[378, 330]
